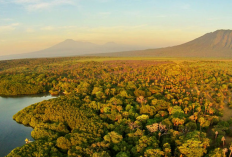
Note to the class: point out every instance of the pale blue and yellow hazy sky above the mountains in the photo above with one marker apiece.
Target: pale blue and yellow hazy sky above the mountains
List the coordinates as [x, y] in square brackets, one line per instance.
[30, 25]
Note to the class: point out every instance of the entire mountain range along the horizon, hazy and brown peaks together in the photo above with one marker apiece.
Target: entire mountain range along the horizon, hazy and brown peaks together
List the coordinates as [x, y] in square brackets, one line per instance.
[216, 44]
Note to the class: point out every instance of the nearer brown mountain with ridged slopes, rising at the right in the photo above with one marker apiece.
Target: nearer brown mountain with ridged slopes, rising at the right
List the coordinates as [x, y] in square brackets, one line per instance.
[214, 44]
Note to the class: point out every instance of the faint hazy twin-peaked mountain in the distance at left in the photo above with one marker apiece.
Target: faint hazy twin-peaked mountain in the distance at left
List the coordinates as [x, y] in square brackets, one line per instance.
[70, 47]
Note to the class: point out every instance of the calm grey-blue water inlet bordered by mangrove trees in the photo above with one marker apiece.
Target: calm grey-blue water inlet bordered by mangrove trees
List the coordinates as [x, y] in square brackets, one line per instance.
[12, 134]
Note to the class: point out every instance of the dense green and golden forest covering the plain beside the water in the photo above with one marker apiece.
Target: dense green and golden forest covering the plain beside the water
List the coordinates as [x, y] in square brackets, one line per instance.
[123, 108]
